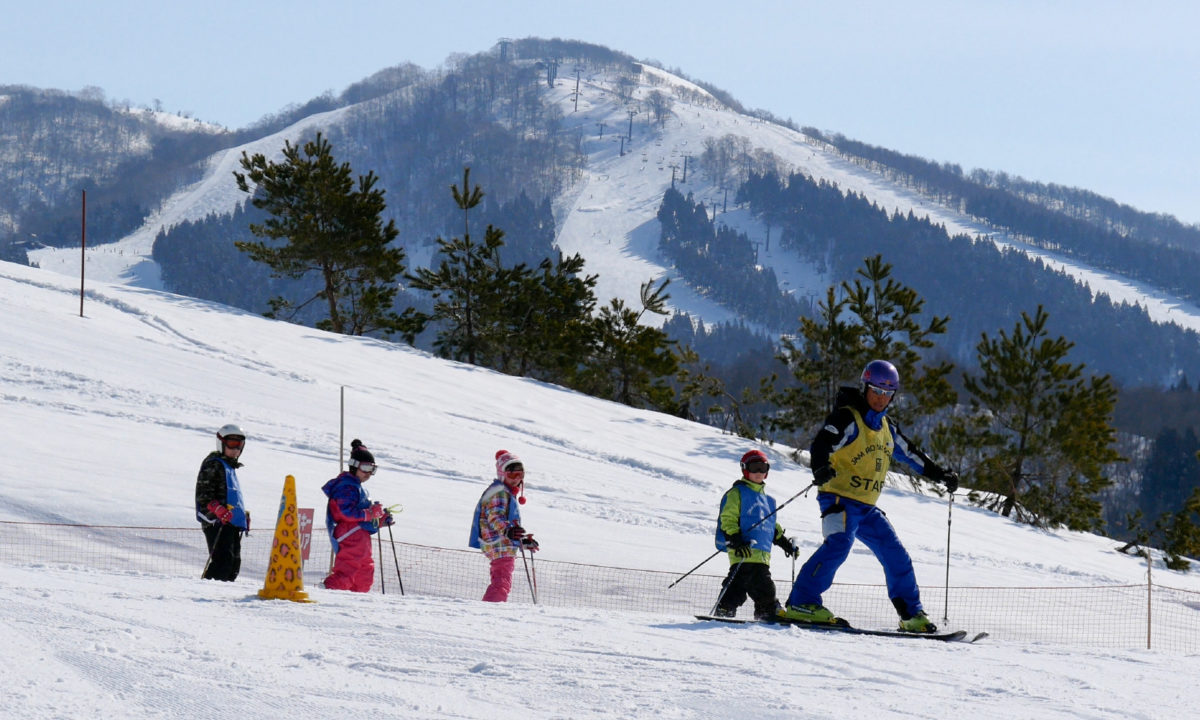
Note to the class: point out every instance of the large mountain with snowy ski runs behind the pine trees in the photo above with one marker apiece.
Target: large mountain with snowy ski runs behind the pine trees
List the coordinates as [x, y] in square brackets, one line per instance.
[604, 157]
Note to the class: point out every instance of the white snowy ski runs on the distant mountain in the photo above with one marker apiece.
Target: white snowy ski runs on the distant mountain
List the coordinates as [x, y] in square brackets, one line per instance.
[609, 217]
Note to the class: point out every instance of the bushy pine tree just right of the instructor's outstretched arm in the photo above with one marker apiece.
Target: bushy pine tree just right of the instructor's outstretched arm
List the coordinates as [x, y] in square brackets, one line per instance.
[1042, 434]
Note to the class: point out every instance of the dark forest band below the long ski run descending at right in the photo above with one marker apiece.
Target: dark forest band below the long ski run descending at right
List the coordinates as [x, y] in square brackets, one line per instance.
[980, 286]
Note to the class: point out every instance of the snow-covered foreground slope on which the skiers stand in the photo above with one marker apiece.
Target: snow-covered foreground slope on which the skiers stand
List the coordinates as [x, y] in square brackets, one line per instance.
[109, 416]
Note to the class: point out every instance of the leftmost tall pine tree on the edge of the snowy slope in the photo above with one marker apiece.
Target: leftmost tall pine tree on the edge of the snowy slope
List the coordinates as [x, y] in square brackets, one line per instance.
[321, 223]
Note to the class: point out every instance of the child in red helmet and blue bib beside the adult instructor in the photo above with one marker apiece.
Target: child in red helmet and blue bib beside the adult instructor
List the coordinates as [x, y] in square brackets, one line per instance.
[747, 529]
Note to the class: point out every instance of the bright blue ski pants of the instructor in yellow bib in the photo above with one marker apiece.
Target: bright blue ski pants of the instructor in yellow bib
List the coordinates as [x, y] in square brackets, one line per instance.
[843, 521]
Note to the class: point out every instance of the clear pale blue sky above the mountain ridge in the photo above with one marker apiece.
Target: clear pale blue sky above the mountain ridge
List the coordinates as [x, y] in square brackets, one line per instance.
[1099, 94]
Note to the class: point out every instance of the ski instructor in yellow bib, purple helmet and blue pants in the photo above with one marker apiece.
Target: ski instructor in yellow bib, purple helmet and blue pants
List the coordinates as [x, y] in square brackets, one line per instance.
[850, 460]
